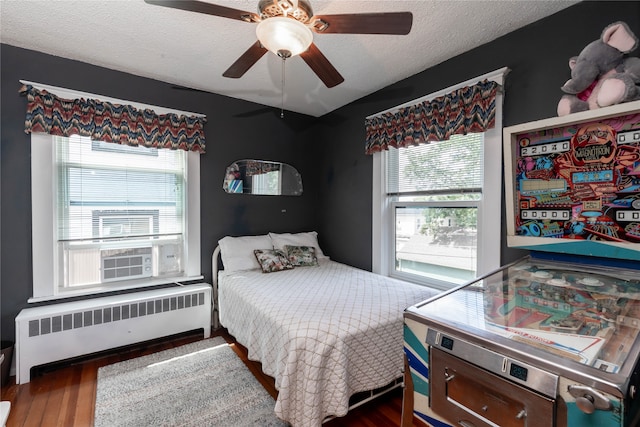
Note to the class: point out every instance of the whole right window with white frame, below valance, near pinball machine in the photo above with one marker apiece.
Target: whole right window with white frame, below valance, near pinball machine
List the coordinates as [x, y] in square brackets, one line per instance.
[437, 207]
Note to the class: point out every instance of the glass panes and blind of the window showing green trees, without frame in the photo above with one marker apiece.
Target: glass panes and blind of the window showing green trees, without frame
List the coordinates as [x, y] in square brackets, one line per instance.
[435, 192]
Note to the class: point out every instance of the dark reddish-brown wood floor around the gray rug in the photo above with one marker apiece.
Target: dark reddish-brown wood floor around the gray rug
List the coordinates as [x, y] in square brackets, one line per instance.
[64, 394]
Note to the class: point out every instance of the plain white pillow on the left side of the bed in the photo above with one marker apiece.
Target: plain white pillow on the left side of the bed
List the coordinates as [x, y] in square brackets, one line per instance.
[237, 252]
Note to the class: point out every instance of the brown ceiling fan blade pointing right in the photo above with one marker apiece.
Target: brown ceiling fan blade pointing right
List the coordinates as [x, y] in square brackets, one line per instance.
[364, 23]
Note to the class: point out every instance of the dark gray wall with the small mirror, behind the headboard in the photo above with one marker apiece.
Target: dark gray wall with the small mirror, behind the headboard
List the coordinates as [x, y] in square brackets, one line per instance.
[235, 130]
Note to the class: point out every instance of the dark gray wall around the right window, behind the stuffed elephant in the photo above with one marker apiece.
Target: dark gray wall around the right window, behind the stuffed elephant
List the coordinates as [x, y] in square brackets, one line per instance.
[538, 58]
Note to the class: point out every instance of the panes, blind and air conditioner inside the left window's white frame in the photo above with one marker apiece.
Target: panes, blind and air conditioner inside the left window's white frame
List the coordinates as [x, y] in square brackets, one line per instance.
[119, 211]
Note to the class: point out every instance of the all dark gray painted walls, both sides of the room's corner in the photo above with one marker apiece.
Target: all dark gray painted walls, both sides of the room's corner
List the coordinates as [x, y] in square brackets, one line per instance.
[328, 152]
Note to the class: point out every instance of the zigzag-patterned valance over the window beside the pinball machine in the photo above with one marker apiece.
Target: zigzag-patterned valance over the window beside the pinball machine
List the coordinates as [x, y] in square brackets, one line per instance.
[468, 109]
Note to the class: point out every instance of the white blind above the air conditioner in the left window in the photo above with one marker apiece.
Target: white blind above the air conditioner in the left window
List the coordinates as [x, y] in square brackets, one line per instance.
[109, 192]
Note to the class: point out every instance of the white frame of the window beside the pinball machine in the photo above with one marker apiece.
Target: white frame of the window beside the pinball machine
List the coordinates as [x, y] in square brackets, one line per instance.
[489, 206]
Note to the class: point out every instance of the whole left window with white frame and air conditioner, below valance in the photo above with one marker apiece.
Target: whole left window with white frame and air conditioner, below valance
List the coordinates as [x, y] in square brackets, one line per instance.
[109, 216]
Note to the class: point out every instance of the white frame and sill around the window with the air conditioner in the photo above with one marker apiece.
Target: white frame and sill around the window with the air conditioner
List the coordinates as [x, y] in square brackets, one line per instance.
[43, 204]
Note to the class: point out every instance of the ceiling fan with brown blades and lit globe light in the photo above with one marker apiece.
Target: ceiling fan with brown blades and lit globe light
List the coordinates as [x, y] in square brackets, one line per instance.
[286, 27]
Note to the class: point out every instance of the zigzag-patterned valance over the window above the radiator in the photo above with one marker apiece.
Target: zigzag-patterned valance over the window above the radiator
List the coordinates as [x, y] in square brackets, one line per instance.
[104, 121]
